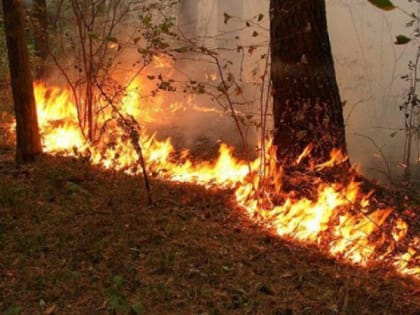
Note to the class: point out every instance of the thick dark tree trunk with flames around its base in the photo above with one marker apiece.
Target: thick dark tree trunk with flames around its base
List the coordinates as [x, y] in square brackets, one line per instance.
[307, 105]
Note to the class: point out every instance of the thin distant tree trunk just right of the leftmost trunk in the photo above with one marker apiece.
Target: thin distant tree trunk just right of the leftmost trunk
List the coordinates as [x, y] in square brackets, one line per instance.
[40, 22]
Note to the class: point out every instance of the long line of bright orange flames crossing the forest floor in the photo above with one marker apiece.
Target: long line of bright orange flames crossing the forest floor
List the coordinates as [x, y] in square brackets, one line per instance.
[336, 217]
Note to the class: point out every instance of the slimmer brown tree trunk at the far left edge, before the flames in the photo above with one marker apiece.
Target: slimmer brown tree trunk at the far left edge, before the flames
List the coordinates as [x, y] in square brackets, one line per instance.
[28, 139]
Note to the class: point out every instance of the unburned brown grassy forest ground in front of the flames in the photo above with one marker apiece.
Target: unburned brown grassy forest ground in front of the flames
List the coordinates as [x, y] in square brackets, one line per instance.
[75, 239]
